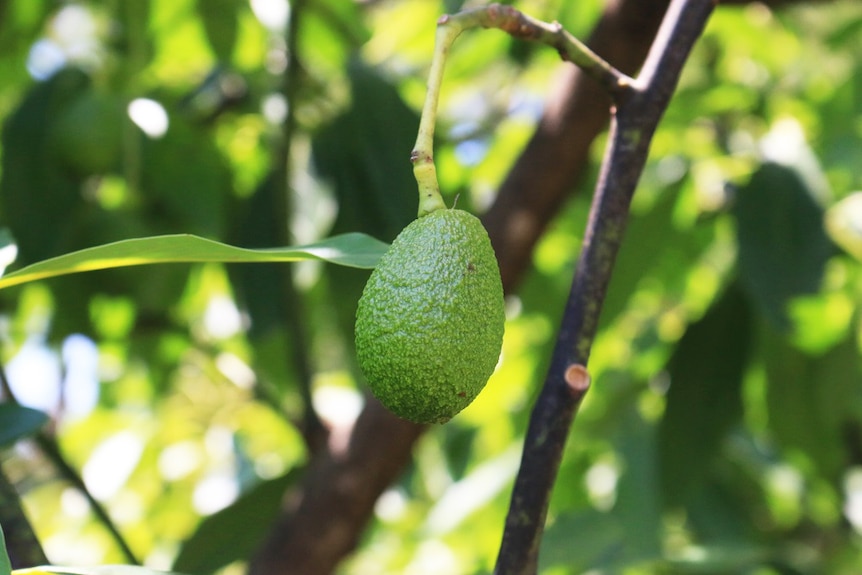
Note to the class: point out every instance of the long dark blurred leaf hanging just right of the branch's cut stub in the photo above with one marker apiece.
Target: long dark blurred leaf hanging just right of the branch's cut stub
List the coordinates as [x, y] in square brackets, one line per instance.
[704, 400]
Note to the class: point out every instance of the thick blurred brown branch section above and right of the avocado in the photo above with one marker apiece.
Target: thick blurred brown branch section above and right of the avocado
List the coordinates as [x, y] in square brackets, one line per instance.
[558, 155]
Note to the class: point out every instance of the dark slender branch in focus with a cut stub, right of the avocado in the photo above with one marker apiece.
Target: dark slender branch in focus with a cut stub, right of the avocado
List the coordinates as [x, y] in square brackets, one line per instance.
[632, 127]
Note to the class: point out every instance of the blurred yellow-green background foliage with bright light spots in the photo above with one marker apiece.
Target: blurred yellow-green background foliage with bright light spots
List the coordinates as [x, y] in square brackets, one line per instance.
[723, 433]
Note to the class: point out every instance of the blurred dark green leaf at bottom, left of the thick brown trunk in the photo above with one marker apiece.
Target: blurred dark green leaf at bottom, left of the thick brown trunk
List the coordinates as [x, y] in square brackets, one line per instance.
[234, 532]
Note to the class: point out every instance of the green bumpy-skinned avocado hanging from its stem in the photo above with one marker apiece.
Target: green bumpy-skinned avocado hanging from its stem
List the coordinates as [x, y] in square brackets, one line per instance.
[429, 325]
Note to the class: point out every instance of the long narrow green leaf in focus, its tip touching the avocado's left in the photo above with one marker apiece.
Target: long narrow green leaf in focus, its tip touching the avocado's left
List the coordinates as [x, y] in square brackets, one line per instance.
[351, 250]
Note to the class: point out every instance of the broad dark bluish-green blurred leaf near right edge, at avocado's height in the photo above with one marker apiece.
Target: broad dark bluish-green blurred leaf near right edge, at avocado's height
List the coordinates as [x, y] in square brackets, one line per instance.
[783, 247]
